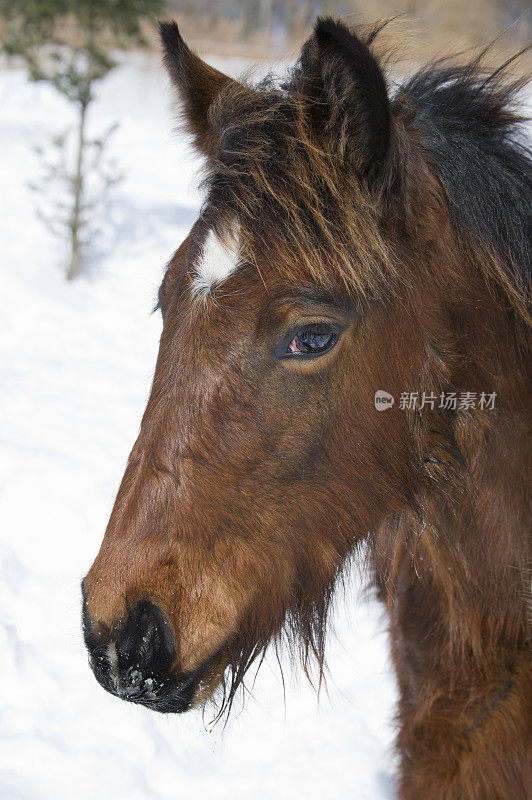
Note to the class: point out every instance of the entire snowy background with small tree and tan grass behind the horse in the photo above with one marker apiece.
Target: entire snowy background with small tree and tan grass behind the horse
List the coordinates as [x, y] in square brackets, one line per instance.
[98, 190]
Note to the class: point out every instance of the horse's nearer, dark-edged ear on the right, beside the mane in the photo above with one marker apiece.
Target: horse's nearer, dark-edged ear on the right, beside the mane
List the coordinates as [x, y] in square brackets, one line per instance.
[348, 97]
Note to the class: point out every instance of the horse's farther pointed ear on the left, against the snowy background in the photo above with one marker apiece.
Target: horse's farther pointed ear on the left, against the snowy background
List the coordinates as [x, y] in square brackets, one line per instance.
[197, 83]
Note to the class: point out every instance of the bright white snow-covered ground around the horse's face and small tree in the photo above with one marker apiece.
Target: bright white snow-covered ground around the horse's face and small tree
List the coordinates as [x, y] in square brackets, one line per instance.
[75, 367]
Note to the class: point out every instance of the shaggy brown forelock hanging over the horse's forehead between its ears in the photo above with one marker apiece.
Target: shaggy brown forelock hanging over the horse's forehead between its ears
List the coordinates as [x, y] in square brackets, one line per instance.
[298, 211]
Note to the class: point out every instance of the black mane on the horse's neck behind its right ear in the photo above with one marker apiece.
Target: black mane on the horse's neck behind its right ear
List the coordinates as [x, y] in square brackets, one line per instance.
[472, 133]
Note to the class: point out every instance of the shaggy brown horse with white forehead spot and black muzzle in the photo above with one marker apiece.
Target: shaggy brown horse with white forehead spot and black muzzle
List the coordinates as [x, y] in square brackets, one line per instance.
[345, 358]
